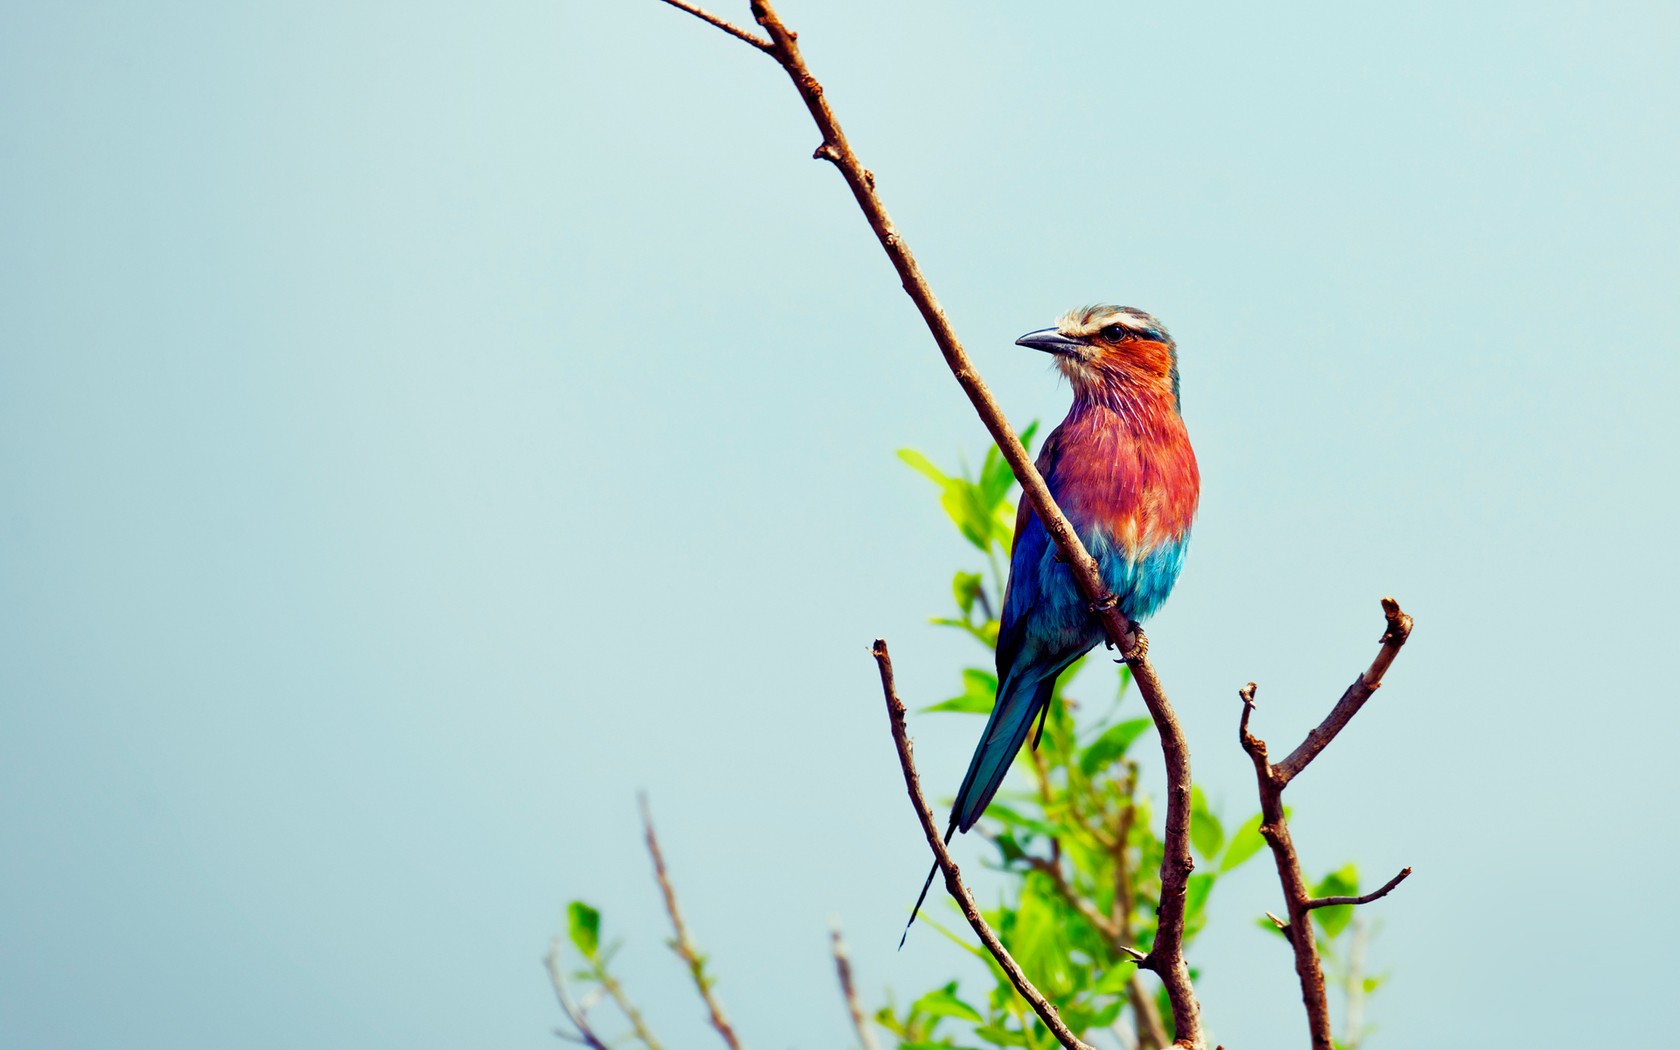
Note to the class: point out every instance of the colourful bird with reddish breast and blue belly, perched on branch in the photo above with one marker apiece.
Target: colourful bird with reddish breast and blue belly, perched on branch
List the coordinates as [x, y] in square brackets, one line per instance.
[1125, 475]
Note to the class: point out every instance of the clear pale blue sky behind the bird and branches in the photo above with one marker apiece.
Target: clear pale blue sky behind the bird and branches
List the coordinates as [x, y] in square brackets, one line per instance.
[424, 426]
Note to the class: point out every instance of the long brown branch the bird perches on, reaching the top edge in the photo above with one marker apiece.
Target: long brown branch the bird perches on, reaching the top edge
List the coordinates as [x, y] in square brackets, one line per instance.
[1168, 955]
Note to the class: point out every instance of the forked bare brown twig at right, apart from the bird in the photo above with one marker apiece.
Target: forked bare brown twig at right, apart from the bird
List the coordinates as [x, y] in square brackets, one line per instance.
[1274, 824]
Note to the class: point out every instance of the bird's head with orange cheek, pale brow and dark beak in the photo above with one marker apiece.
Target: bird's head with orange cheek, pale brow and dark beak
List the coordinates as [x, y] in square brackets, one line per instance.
[1111, 352]
